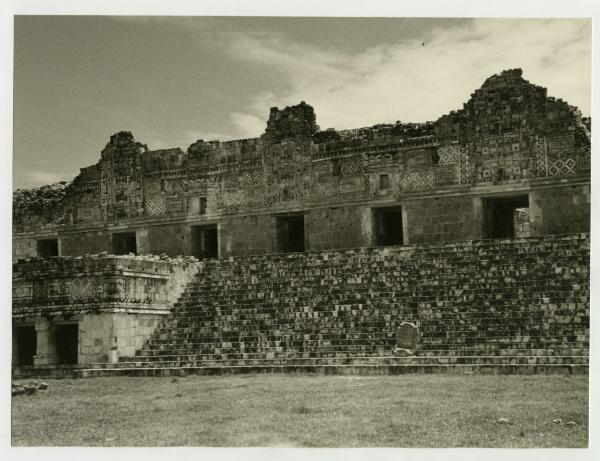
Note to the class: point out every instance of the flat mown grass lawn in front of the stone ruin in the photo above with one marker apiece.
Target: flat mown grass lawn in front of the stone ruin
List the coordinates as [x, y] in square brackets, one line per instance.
[306, 411]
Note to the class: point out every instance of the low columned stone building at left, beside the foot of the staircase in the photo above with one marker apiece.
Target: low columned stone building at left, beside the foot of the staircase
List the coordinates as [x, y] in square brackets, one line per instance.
[73, 311]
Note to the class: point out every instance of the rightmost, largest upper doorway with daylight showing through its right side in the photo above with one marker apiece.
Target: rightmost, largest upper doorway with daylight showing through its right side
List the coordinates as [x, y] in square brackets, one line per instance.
[502, 216]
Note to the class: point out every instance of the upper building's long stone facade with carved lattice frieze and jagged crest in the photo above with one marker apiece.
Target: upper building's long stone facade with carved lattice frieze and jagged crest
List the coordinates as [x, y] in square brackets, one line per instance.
[509, 134]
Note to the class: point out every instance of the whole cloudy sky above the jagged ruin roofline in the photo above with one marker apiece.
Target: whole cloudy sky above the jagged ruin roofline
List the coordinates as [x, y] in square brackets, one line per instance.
[171, 81]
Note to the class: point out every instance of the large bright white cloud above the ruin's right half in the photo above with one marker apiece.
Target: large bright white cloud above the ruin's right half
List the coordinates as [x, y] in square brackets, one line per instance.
[414, 80]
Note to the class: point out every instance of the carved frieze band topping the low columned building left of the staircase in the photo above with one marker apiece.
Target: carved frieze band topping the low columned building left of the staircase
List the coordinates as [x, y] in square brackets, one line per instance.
[66, 286]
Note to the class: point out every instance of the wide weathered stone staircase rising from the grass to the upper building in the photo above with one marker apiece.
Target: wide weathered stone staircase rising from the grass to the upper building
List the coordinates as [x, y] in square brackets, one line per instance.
[489, 306]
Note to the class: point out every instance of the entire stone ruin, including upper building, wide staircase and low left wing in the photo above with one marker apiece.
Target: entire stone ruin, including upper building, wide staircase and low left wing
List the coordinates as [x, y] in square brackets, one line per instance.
[461, 243]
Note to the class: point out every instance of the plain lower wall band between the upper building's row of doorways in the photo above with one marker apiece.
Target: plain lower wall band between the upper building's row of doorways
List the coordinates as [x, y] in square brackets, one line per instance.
[552, 210]
